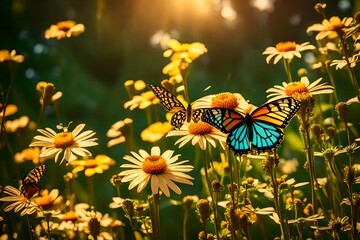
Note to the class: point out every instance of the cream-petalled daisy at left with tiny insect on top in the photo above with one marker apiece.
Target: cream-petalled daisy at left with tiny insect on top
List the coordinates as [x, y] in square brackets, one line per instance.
[69, 143]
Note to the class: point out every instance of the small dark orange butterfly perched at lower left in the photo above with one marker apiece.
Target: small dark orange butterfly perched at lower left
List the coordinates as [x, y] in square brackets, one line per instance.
[30, 183]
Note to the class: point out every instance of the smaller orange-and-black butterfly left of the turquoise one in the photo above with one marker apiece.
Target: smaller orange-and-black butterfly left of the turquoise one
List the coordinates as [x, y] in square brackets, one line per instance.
[172, 104]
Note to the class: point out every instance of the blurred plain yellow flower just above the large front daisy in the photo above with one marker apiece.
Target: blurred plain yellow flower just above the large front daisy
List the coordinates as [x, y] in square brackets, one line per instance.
[156, 131]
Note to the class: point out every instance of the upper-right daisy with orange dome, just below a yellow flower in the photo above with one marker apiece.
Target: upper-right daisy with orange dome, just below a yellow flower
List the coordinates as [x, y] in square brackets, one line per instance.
[287, 50]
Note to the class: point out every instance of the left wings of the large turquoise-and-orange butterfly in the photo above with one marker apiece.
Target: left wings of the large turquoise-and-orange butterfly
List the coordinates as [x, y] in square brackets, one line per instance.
[233, 123]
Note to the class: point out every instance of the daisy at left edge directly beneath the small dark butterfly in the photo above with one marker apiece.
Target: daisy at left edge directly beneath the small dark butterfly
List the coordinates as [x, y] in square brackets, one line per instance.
[19, 202]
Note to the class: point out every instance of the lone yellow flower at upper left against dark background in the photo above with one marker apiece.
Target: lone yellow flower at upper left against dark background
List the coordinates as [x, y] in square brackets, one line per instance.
[64, 29]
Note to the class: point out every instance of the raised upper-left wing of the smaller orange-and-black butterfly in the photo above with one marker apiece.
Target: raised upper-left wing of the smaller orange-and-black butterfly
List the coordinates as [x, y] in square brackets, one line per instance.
[167, 100]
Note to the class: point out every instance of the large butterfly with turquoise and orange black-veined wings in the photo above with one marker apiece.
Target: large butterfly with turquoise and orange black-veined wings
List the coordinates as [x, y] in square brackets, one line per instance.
[261, 129]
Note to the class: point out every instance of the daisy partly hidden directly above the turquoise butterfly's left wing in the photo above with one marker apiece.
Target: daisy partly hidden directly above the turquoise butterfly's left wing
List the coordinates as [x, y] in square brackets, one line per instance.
[227, 100]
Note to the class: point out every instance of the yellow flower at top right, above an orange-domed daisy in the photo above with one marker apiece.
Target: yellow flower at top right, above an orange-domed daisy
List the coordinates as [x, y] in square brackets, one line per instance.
[329, 28]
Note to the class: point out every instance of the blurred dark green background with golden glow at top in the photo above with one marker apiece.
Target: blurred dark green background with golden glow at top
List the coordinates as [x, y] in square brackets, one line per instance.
[116, 46]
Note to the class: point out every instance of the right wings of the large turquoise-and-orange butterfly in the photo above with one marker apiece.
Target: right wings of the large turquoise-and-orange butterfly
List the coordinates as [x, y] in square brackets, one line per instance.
[269, 120]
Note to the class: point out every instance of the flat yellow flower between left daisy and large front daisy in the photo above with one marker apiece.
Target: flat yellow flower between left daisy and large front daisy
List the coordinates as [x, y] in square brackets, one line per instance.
[92, 166]
